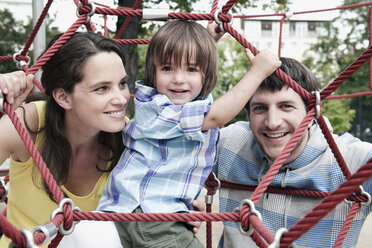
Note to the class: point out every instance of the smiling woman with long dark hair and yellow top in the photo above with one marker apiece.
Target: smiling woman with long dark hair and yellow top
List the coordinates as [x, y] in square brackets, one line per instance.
[76, 129]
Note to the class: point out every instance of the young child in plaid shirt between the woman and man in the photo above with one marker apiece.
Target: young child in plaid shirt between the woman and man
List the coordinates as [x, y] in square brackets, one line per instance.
[171, 142]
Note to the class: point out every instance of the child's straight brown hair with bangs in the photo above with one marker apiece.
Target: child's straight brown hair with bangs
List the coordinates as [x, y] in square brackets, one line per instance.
[176, 39]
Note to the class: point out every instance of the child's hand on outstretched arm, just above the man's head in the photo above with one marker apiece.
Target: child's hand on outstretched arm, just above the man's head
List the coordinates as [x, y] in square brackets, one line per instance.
[264, 63]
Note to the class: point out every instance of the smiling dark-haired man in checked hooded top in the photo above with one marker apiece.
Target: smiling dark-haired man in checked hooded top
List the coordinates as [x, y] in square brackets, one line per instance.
[247, 150]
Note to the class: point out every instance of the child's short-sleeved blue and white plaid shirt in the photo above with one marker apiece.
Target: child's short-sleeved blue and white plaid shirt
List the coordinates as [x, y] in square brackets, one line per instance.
[167, 159]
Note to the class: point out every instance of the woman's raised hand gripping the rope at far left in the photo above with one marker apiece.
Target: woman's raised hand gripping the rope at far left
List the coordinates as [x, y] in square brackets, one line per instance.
[15, 86]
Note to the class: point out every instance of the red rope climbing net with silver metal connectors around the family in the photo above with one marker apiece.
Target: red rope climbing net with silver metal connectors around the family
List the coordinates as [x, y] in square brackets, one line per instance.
[64, 218]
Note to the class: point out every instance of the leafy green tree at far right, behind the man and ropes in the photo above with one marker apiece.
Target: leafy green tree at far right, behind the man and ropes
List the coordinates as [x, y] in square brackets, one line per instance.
[345, 39]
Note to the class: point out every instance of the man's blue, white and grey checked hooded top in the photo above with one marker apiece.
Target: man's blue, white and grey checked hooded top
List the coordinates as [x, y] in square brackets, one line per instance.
[241, 160]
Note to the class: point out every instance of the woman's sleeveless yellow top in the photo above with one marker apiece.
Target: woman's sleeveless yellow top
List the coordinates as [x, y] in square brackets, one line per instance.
[28, 204]
